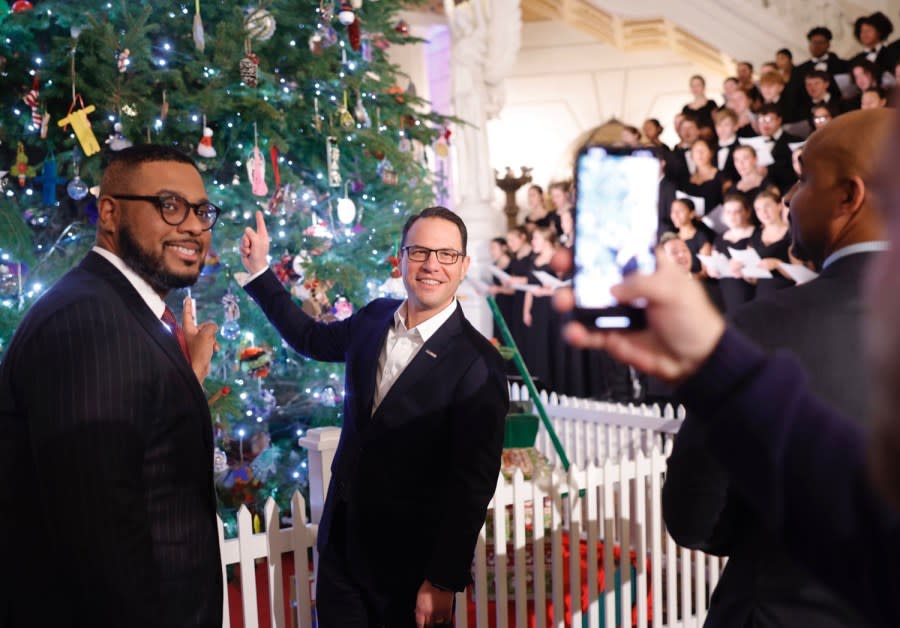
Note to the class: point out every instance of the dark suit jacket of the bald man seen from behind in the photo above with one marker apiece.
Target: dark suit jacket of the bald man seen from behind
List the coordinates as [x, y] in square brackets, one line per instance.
[820, 322]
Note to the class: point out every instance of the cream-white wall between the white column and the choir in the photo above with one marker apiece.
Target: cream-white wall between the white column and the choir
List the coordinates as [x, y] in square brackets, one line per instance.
[565, 83]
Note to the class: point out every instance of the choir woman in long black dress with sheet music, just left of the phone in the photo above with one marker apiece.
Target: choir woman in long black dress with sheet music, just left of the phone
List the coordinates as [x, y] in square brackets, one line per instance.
[542, 324]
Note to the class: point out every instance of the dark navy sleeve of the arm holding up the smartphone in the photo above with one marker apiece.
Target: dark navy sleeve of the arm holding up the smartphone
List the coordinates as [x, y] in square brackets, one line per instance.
[801, 467]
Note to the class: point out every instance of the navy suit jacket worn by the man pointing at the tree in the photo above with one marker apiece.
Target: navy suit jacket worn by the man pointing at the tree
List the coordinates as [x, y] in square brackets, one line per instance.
[416, 475]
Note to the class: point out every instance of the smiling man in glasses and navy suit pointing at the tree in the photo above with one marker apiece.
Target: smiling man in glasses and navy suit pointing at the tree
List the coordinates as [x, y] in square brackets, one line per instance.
[419, 455]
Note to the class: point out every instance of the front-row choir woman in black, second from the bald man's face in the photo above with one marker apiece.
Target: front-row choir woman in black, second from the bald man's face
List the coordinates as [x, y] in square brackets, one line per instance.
[736, 216]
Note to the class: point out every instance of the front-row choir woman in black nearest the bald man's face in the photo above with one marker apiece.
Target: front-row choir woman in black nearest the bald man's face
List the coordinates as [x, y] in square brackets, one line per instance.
[772, 241]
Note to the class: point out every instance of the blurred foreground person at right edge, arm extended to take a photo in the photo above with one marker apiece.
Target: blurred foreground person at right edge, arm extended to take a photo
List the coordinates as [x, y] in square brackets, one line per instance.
[799, 465]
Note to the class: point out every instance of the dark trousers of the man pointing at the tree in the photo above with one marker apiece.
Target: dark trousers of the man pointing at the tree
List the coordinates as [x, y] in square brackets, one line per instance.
[352, 593]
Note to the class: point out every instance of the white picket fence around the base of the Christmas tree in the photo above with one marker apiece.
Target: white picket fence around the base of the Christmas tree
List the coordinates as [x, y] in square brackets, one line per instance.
[610, 500]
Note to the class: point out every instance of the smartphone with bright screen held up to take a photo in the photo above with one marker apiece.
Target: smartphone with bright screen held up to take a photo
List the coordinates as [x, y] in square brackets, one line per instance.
[616, 220]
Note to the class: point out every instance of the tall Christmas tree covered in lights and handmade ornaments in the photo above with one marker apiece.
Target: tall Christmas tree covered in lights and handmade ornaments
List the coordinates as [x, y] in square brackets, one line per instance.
[289, 106]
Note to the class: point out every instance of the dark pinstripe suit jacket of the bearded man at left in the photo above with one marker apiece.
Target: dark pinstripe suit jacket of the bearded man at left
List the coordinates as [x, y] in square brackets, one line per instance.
[107, 506]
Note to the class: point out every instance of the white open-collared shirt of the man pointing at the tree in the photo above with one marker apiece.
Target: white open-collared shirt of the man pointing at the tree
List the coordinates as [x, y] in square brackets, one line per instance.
[402, 345]
